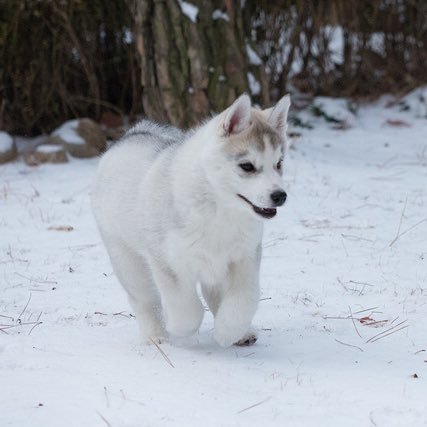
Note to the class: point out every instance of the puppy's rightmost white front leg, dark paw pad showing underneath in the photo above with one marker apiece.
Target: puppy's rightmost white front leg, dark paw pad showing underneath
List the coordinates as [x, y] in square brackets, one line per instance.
[238, 305]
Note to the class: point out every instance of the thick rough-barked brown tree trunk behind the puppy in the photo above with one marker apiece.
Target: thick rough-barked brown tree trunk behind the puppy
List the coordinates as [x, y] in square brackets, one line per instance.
[190, 68]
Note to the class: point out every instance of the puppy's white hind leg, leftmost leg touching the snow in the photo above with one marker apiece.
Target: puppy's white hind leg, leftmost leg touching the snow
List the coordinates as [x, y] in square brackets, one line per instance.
[134, 274]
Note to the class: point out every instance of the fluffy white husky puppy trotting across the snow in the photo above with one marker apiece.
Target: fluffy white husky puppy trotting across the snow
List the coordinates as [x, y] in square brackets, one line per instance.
[176, 209]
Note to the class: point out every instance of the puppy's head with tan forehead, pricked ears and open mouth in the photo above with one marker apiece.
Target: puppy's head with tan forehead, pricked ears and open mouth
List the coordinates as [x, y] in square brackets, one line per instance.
[246, 163]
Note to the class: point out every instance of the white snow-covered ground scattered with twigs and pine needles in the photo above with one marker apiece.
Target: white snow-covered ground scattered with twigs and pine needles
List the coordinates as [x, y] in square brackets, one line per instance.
[344, 261]
